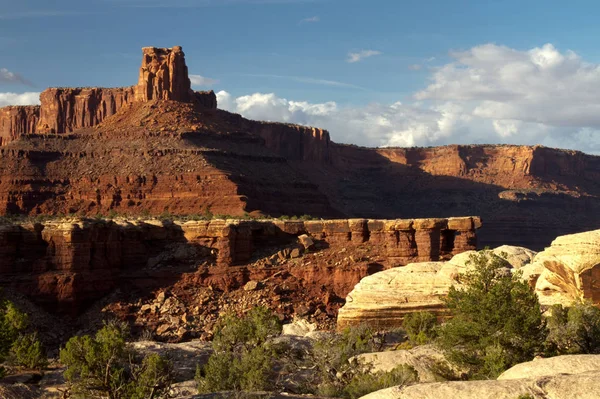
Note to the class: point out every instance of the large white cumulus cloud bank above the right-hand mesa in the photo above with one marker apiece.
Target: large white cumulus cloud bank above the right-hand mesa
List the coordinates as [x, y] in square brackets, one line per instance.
[488, 94]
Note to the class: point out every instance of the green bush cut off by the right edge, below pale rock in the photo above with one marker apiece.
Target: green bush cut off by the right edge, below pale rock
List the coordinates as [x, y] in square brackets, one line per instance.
[573, 330]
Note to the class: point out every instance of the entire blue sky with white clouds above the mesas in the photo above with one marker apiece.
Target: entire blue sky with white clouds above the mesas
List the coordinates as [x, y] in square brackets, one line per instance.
[416, 80]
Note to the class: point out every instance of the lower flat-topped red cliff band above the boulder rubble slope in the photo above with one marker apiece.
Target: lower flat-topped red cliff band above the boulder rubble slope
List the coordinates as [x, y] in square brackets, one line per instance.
[67, 265]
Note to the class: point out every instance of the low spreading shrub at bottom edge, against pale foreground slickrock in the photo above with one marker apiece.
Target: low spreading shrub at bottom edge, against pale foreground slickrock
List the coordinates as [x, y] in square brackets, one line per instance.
[365, 382]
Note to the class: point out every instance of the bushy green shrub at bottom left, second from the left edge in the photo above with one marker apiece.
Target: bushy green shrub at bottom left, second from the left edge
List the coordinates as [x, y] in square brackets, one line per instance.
[103, 366]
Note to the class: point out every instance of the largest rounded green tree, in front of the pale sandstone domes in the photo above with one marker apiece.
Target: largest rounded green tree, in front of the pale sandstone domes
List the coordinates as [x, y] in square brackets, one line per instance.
[496, 319]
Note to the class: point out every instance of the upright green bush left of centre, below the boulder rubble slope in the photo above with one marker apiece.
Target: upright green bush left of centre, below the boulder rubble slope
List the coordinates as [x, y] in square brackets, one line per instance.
[243, 359]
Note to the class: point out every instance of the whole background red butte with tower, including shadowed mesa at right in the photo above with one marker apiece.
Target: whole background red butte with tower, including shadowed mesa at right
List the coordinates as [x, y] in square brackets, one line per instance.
[160, 146]
